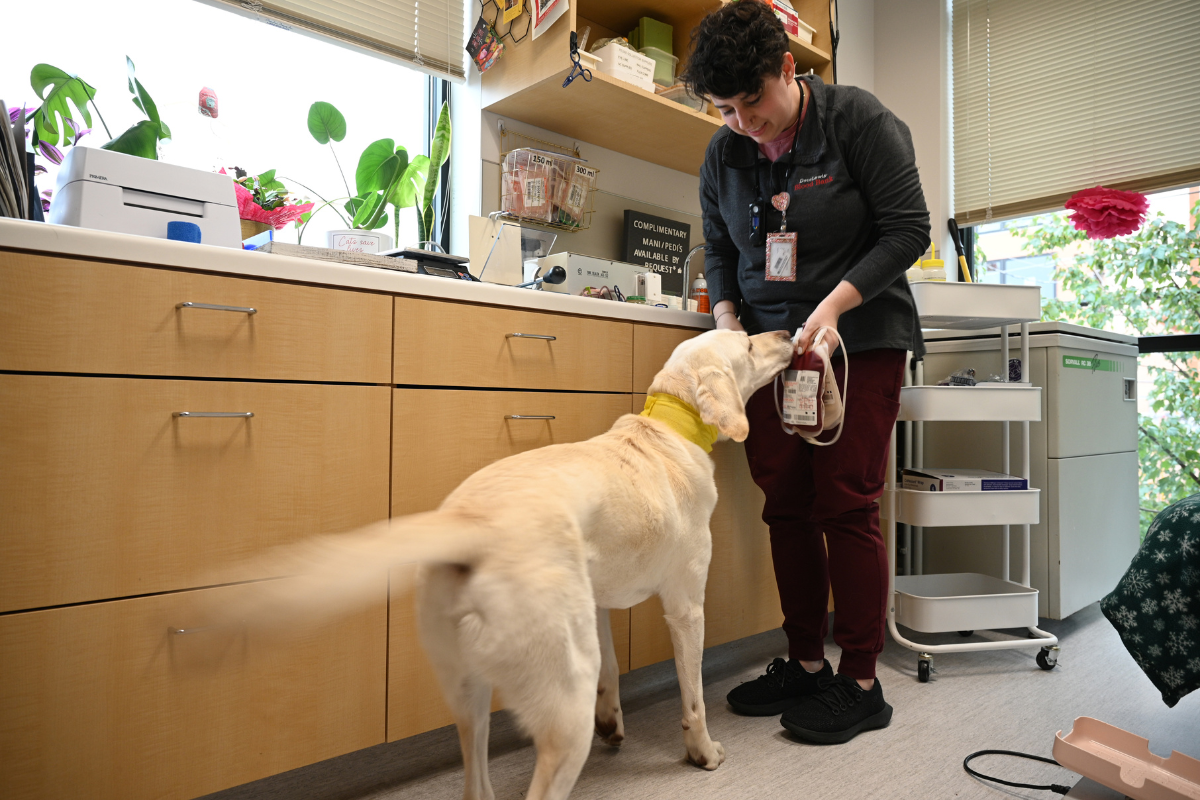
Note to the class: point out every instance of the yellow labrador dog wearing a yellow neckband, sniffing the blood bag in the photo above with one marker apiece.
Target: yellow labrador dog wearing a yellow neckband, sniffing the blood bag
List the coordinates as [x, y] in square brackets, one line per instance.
[519, 560]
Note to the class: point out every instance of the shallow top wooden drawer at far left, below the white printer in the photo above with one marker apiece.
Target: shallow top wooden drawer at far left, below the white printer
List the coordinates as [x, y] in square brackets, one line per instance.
[61, 315]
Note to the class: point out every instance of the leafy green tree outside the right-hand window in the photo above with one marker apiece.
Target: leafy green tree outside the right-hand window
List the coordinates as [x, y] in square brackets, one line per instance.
[1145, 284]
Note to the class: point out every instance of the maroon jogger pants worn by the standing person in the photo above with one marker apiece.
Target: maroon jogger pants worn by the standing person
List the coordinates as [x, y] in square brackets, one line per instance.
[819, 497]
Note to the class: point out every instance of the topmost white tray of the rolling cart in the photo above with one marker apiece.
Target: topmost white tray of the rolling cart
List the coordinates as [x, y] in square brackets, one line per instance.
[975, 306]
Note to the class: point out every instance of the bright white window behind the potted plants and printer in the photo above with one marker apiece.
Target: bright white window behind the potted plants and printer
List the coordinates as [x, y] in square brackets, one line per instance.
[266, 79]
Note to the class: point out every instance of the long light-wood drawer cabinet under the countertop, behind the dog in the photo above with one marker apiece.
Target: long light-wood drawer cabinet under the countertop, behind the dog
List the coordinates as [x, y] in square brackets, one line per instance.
[125, 520]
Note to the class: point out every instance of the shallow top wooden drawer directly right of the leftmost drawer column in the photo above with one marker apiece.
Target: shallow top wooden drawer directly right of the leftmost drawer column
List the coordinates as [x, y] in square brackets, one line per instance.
[457, 345]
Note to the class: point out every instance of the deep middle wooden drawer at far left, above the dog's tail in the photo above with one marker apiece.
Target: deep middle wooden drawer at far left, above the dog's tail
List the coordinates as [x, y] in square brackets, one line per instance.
[106, 494]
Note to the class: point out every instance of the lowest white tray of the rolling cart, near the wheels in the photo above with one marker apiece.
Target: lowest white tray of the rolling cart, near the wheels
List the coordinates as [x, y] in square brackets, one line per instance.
[963, 601]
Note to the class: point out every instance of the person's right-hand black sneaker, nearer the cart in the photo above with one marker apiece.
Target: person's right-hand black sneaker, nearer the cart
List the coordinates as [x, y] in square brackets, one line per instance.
[839, 712]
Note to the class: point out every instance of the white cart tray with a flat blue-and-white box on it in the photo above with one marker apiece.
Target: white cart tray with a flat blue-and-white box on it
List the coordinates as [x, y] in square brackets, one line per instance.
[943, 509]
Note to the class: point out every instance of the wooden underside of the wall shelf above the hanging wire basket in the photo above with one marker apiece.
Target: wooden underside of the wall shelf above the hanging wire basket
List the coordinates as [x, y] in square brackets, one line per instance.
[616, 116]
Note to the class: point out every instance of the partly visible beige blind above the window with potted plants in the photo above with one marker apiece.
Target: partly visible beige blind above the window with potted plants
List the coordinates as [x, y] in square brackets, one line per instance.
[427, 34]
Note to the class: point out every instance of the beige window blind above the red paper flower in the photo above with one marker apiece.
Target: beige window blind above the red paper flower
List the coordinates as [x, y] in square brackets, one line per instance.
[1055, 98]
